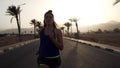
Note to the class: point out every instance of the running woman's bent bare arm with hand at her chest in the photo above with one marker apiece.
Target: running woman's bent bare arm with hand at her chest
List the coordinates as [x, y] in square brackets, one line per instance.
[59, 42]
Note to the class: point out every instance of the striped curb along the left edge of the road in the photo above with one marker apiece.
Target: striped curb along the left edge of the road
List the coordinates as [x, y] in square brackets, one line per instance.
[13, 46]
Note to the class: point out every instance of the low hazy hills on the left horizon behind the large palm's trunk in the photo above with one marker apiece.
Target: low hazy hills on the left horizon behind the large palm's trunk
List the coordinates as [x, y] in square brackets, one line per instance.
[23, 30]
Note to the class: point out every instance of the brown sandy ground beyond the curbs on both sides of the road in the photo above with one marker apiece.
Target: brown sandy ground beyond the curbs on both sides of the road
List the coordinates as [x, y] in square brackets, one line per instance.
[111, 39]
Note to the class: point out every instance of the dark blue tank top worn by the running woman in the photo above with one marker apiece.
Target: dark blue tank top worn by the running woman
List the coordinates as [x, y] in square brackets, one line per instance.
[47, 47]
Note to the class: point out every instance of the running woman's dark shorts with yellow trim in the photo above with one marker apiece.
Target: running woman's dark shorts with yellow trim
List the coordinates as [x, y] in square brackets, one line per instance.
[51, 62]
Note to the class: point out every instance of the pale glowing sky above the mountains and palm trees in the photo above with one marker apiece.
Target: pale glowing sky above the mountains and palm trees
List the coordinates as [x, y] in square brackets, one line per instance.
[89, 12]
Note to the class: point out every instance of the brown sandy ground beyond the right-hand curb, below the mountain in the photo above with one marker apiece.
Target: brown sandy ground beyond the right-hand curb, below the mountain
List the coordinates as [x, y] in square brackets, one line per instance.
[111, 39]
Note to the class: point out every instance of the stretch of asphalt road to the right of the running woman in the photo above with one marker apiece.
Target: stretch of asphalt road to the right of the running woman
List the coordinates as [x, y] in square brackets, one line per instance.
[84, 56]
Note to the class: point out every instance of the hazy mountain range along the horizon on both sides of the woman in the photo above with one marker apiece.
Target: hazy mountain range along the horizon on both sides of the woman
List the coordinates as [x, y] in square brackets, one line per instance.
[110, 25]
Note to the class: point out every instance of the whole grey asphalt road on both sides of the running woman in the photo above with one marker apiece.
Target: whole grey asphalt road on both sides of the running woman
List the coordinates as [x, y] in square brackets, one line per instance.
[73, 56]
